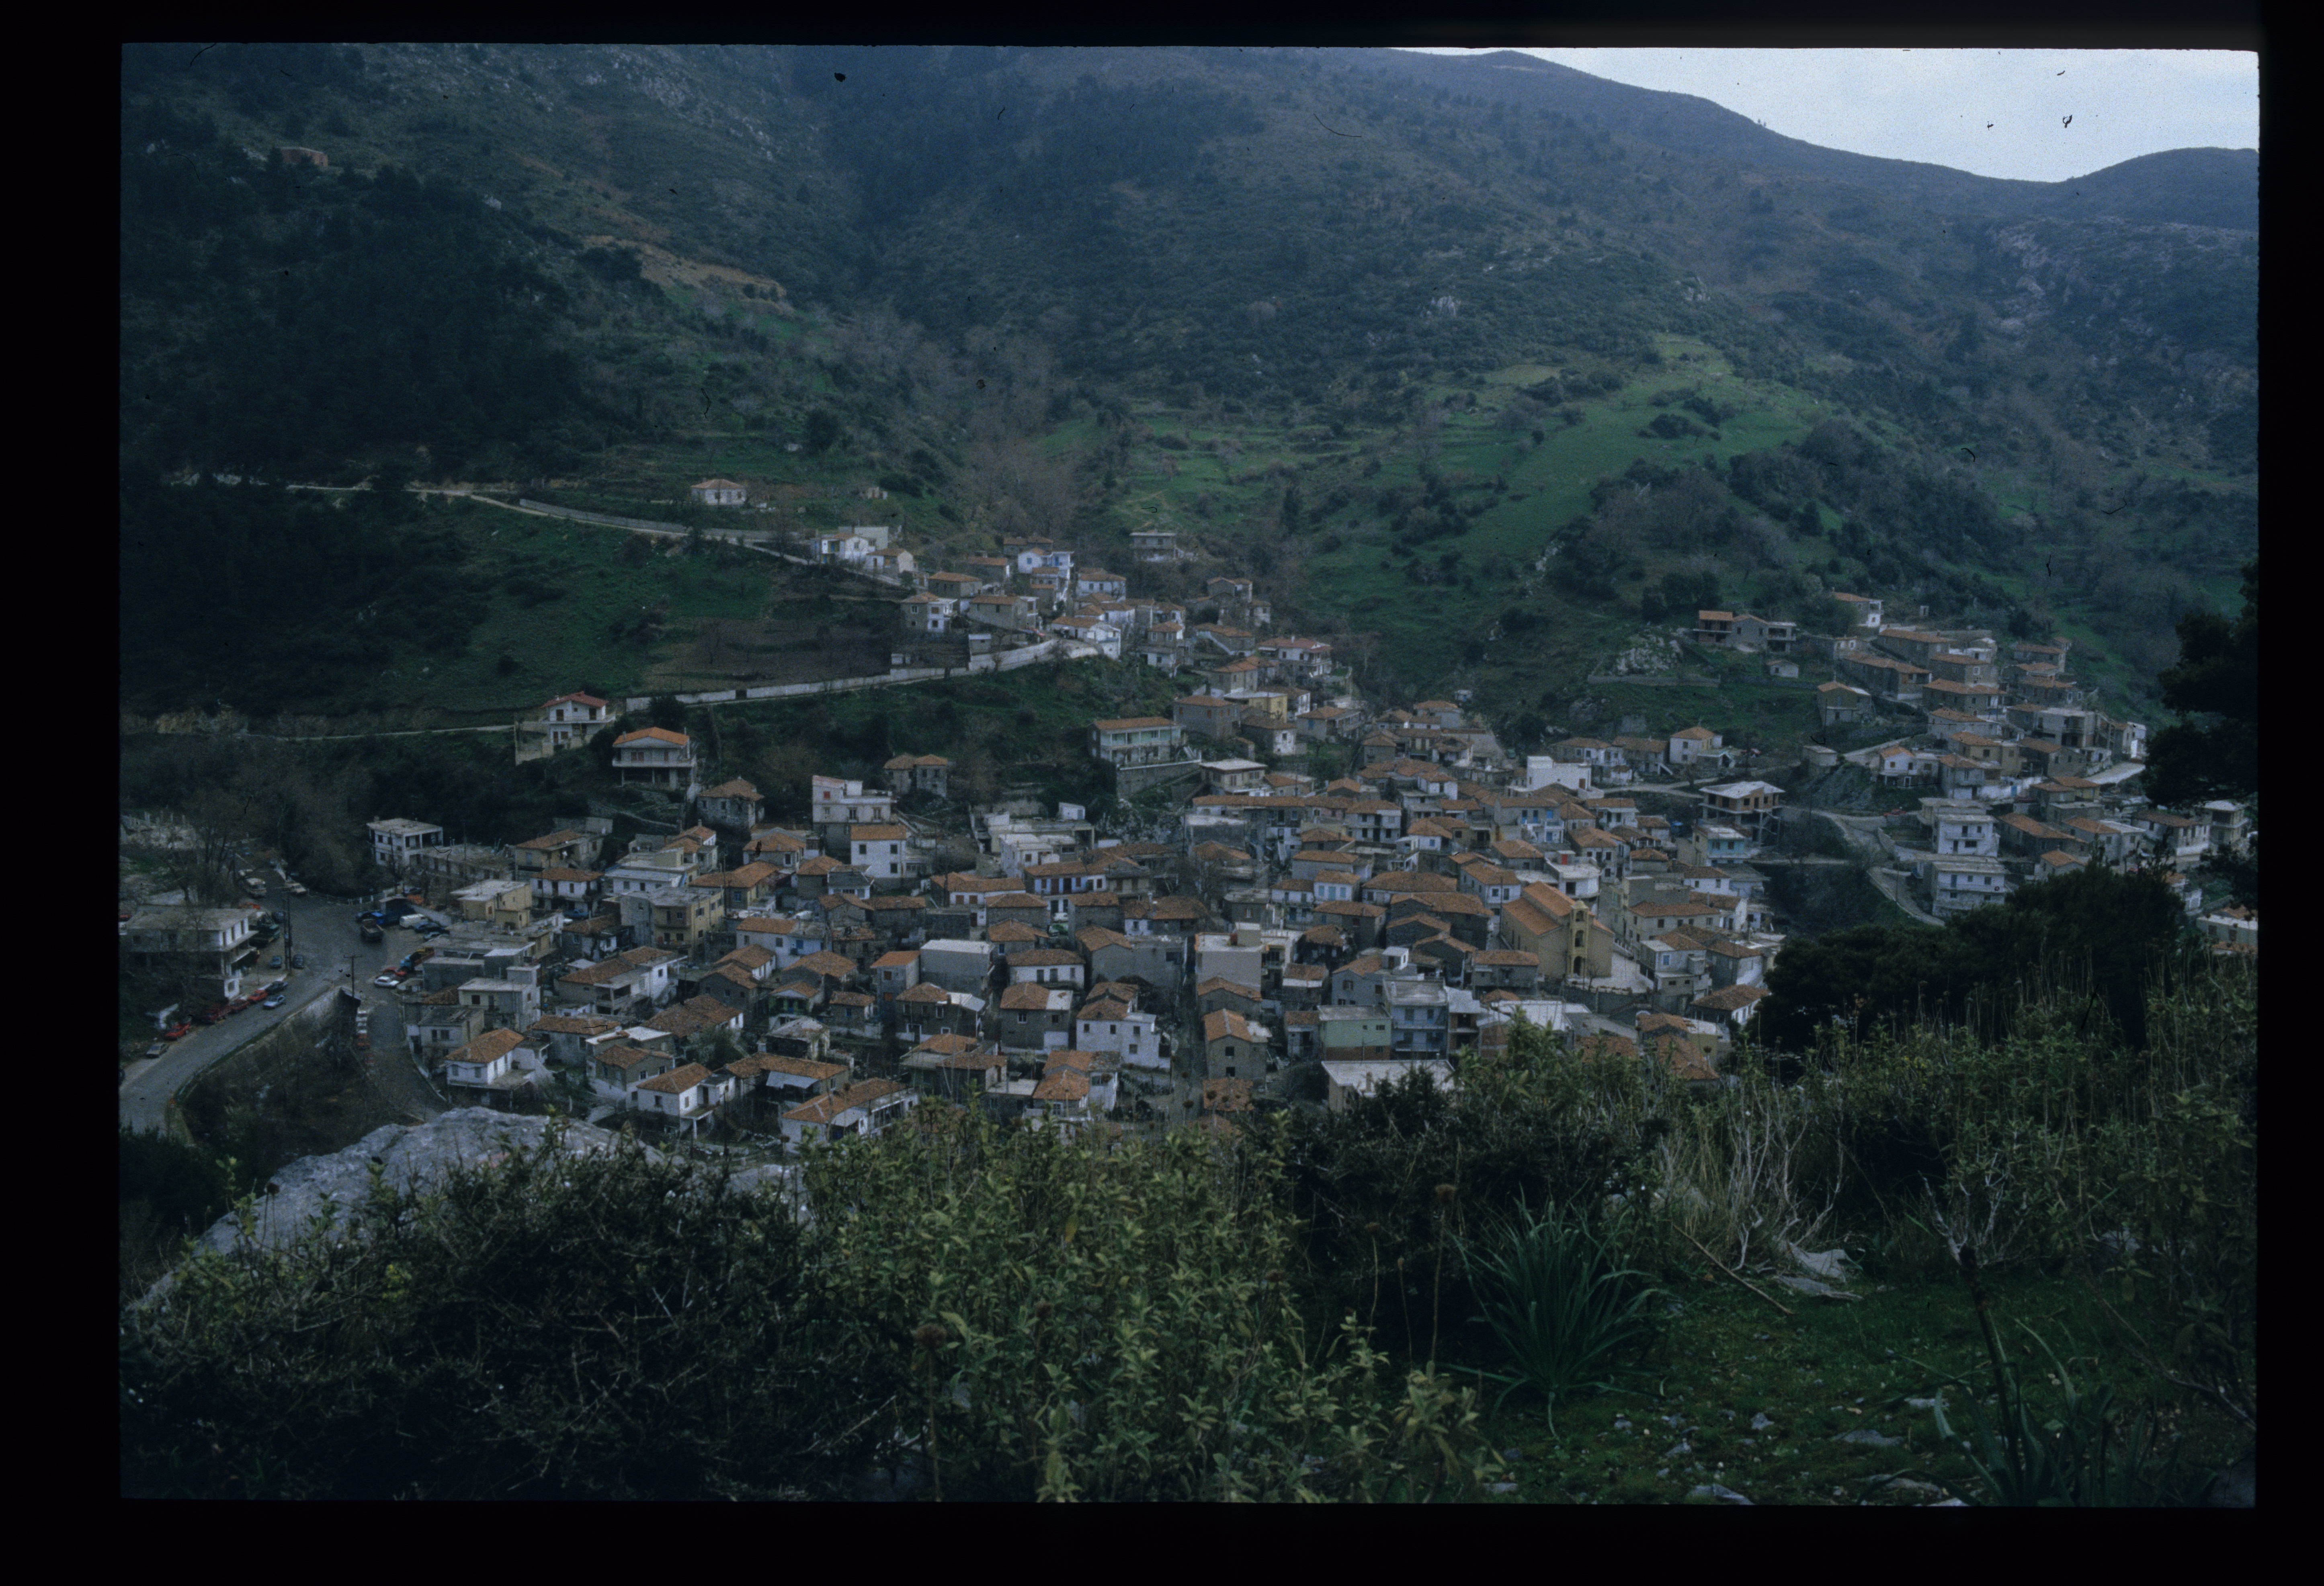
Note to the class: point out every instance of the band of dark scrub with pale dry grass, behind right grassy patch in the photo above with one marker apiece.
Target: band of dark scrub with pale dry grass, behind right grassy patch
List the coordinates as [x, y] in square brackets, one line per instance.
[2063, 1141]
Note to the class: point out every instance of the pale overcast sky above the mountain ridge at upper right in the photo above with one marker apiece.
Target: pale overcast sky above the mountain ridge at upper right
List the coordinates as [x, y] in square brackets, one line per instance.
[1993, 113]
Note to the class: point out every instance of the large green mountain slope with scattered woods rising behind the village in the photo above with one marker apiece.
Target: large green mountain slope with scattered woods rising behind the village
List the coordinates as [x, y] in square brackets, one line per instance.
[1389, 331]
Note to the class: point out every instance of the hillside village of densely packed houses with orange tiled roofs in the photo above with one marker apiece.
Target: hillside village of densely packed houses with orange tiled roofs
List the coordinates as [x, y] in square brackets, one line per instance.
[1291, 941]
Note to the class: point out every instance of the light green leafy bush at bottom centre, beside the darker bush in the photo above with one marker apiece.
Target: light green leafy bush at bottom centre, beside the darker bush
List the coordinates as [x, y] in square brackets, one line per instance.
[1117, 1324]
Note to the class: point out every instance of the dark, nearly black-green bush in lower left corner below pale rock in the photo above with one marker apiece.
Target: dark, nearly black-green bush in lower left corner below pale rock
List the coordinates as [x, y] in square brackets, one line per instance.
[543, 1329]
